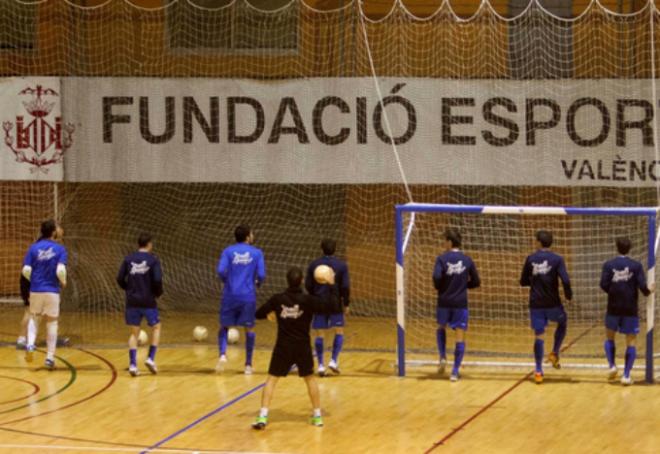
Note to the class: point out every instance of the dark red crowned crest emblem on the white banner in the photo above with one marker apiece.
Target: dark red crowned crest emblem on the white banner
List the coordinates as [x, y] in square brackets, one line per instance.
[38, 140]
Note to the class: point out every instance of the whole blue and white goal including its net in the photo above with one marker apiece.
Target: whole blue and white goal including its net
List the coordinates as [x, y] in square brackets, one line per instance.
[499, 238]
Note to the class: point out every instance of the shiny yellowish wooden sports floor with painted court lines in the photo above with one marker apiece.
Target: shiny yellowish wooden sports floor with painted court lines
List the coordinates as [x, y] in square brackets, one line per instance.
[90, 404]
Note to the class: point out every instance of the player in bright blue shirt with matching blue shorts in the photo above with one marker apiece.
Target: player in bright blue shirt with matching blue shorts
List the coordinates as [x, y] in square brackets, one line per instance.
[241, 269]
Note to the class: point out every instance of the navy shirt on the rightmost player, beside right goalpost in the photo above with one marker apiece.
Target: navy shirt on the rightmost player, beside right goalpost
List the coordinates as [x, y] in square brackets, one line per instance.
[621, 279]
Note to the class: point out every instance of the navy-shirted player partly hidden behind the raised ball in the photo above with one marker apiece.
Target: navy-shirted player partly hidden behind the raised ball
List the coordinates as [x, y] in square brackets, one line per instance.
[323, 322]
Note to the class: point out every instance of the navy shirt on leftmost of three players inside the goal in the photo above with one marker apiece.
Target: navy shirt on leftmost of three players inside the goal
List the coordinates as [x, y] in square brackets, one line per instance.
[453, 275]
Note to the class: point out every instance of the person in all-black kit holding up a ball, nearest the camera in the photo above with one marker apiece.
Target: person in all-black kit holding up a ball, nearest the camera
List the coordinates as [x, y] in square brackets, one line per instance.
[294, 311]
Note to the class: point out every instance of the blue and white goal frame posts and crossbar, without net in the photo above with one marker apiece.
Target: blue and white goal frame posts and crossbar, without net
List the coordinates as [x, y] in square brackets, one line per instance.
[402, 236]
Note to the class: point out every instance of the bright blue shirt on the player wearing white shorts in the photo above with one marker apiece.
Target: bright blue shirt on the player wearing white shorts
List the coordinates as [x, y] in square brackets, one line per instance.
[44, 256]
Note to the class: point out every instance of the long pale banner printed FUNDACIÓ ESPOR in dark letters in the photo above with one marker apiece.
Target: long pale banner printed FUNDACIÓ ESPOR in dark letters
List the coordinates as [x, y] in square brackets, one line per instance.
[333, 130]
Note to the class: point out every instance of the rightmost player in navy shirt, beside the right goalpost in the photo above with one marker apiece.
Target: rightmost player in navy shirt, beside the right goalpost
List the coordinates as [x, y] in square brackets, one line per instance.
[622, 279]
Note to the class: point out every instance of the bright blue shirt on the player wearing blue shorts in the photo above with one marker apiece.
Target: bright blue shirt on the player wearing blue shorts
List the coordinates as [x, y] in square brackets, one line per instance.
[241, 268]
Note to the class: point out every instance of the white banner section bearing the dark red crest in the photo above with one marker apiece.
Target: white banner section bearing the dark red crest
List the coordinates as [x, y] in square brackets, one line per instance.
[34, 137]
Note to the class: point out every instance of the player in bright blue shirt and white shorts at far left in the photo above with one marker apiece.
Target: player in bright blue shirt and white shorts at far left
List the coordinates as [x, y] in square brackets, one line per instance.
[45, 267]
